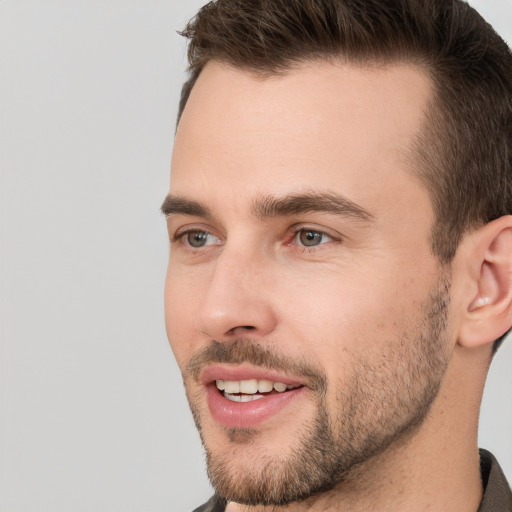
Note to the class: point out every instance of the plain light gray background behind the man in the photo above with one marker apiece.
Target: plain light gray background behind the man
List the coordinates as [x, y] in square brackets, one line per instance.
[92, 413]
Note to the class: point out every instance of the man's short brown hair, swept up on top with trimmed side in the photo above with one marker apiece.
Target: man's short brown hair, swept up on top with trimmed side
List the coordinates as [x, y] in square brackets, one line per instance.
[463, 154]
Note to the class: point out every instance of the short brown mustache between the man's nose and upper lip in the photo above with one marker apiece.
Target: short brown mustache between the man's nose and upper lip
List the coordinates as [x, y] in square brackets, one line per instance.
[256, 353]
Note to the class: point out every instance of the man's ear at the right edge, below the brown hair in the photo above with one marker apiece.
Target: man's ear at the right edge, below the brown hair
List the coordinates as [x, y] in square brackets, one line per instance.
[488, 308]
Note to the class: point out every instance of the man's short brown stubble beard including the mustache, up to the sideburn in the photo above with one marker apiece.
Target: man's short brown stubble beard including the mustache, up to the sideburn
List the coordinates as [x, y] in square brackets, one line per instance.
[384, 400]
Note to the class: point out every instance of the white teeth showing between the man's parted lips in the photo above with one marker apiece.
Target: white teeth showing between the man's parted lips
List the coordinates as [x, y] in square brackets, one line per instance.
[252, 389]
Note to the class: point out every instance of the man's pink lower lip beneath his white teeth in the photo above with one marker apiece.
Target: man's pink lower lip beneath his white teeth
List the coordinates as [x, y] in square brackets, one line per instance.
[248, 414]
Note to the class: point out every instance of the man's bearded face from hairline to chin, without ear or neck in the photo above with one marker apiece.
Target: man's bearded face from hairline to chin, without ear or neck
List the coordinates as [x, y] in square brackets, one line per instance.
[303, 303]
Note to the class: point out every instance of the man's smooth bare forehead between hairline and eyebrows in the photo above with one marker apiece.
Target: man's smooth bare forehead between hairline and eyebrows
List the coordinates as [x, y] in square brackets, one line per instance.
[328, 125]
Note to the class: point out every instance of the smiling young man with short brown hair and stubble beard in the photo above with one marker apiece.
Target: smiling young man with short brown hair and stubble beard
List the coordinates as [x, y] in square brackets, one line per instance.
[341, 251]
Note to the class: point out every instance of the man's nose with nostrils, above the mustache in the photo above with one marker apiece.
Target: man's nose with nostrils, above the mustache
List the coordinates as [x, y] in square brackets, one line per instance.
[238, 298]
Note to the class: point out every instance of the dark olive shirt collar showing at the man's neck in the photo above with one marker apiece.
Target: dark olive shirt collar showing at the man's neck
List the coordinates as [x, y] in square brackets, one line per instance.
[497, 495]
